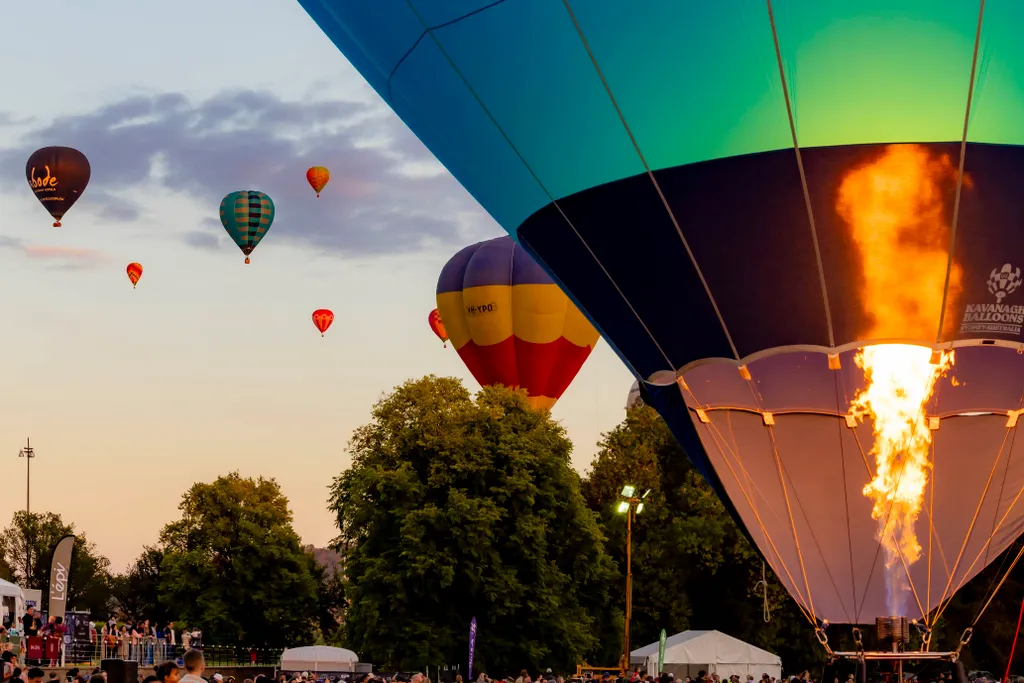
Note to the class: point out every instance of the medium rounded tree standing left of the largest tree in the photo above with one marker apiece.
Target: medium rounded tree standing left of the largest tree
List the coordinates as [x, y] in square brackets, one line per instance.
[233, 566]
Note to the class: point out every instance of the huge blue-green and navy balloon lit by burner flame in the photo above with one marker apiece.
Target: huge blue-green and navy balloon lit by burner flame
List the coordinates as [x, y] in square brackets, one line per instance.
[824, 207]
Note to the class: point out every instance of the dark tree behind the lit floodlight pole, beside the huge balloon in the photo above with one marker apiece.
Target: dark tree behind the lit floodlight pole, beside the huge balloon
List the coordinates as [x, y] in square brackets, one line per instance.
[693, 568]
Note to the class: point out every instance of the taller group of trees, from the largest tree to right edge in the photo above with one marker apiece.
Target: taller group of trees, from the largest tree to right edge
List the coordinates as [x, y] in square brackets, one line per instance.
[459, 507]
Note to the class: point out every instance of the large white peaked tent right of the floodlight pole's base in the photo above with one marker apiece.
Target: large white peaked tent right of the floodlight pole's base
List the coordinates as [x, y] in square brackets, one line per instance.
[713, 652]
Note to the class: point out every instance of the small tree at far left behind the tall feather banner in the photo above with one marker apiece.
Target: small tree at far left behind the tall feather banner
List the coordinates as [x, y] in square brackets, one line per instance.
[28, 546]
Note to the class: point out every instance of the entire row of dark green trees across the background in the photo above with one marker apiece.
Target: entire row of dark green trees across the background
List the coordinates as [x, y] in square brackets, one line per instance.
[459, 507]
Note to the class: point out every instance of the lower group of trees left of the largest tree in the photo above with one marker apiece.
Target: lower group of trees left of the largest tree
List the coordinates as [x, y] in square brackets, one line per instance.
[232, 567]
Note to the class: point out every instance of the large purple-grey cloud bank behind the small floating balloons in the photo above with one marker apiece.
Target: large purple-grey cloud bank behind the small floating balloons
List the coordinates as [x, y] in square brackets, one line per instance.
[387, 195]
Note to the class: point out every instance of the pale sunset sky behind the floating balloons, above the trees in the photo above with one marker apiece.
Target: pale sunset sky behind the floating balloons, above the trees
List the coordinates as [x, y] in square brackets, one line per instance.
[131, 397]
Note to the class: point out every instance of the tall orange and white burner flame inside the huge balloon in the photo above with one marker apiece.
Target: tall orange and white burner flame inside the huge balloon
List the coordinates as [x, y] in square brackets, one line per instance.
[899, 218]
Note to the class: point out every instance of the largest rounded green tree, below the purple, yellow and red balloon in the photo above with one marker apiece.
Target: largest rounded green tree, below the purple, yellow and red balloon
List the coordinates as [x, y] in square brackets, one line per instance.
[457, 508]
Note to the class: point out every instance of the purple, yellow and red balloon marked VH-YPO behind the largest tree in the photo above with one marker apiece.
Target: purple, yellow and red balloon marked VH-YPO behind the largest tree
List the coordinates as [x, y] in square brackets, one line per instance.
[510, 323]
